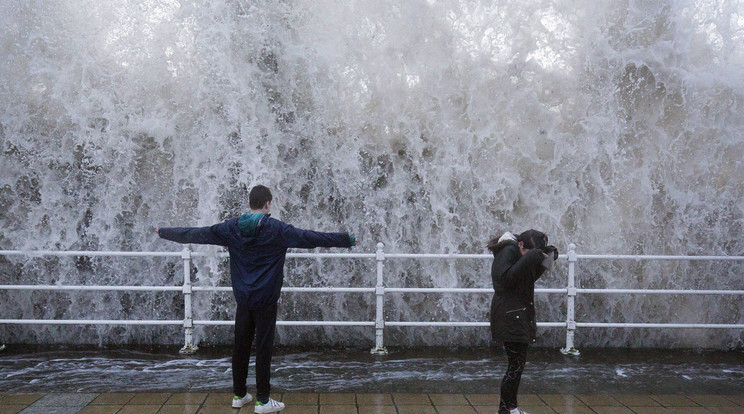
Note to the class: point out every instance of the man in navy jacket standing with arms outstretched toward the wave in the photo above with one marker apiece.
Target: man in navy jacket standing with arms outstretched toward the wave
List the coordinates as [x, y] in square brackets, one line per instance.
[258, 245]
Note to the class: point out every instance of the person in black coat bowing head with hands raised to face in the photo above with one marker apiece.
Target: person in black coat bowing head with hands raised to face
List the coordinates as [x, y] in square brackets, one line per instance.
[518, 261]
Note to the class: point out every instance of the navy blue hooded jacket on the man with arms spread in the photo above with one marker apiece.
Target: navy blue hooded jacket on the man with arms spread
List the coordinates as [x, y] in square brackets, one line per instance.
[258, 246]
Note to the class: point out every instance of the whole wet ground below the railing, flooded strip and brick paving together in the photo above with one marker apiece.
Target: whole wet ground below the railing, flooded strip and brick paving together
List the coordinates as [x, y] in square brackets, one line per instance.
[420, 380]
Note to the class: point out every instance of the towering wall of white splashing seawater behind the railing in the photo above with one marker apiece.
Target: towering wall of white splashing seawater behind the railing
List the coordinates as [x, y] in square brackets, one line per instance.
[429, 126]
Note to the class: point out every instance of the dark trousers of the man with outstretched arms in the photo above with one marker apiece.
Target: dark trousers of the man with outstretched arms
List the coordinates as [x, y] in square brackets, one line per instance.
[261, 324]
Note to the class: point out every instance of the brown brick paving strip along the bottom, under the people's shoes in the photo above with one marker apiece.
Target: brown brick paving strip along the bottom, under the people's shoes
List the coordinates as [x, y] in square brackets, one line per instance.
[350, 403]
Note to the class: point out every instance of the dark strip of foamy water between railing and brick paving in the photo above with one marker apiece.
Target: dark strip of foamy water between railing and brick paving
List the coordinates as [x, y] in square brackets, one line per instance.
[428, 370]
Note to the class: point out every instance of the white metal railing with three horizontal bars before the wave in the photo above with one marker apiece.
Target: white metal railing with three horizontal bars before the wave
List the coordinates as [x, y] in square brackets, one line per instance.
[380, 257]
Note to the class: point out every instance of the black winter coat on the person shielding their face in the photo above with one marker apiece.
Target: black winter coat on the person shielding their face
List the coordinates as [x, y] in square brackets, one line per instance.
[513, 304]
